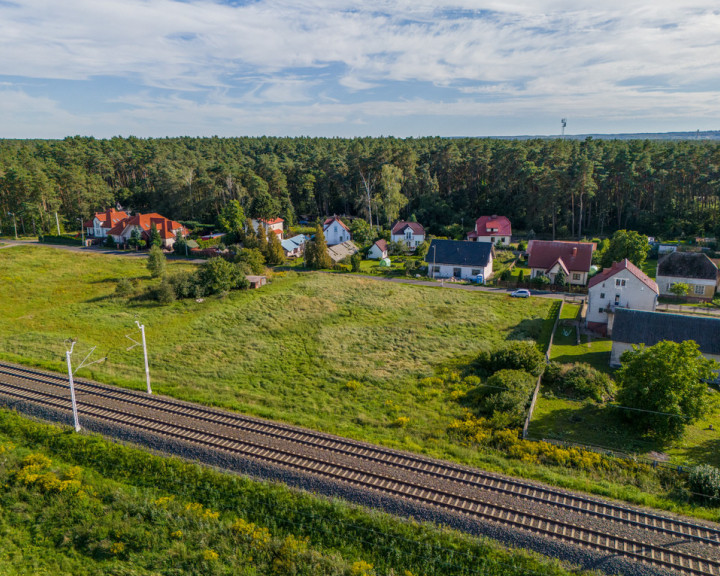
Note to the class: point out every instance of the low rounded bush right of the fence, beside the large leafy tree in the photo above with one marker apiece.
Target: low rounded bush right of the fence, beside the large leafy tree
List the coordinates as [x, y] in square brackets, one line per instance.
[579, 381]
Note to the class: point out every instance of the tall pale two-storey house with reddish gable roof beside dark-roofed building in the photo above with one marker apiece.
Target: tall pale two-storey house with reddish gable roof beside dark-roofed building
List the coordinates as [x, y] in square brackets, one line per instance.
[623, 285]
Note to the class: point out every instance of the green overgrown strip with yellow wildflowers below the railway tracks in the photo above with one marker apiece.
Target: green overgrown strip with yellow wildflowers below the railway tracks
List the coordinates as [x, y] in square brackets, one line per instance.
[77, 504]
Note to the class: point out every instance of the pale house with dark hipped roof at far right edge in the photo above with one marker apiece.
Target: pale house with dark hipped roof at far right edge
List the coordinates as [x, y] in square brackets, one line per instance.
[692, 268]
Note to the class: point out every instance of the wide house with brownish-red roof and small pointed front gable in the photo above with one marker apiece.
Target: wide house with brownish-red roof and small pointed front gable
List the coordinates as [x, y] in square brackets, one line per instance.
[547, 258]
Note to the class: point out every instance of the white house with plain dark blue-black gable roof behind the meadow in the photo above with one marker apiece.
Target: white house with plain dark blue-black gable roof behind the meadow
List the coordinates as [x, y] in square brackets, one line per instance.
[460, 260]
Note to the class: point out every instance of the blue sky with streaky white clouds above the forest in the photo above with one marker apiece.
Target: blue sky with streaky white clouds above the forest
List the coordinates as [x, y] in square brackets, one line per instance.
[351, 68]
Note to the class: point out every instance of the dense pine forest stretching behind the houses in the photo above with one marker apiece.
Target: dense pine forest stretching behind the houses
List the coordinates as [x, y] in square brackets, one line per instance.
[564, 188]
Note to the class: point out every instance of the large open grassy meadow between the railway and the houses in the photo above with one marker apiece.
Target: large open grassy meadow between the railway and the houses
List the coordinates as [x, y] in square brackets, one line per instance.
[286, 351]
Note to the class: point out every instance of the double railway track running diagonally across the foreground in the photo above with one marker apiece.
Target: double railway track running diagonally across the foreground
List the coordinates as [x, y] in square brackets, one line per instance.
[601, 525]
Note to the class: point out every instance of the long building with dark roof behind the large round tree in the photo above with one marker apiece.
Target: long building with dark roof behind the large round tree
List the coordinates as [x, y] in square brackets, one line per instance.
[634, 327]
